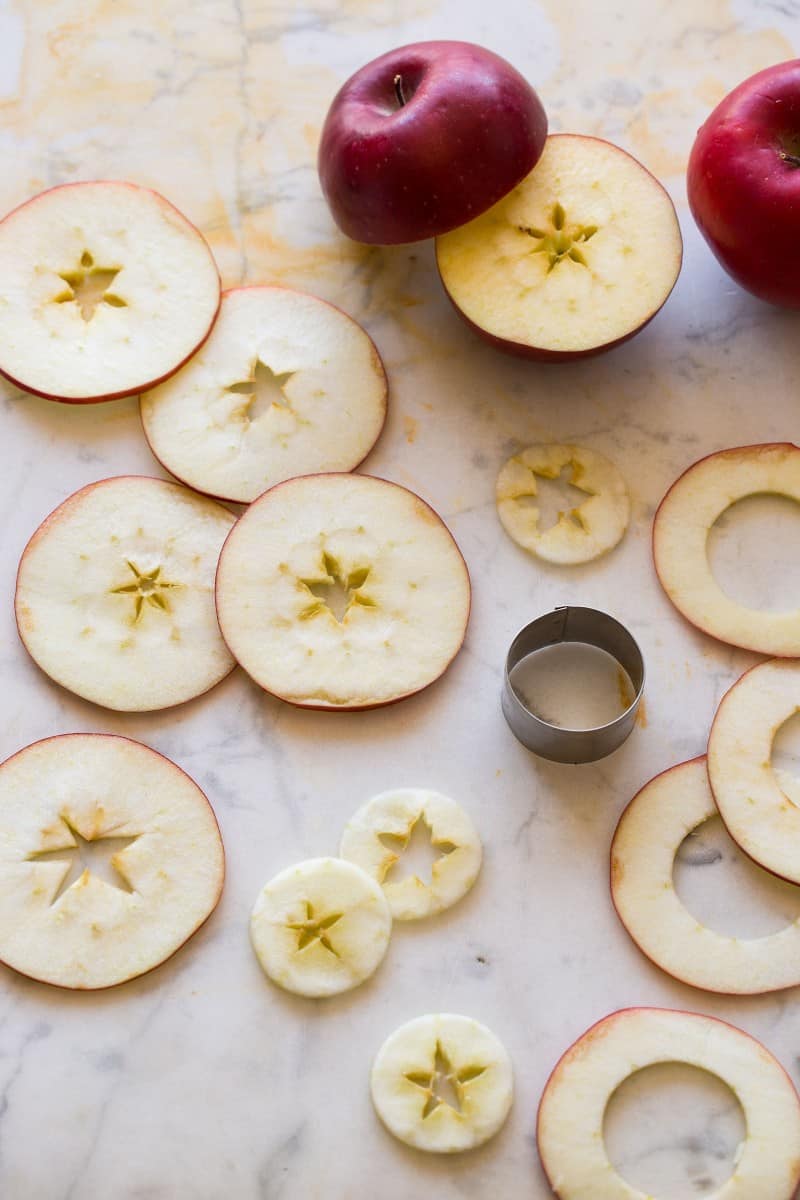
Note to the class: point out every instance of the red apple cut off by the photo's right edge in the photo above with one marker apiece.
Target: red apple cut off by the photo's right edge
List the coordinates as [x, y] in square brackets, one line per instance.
[744, 184]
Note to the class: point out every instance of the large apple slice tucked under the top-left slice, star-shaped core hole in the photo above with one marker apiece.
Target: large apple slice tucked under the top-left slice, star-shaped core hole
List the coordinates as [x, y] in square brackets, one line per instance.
[286, 386]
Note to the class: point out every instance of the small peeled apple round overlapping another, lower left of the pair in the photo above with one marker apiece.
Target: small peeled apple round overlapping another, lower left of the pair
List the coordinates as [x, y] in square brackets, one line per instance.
[321, 928]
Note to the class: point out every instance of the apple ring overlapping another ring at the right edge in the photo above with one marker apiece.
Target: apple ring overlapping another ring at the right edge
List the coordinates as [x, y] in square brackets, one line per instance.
[755, 801]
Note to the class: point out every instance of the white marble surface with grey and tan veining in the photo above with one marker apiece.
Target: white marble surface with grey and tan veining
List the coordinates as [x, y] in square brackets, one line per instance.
[202, 1081]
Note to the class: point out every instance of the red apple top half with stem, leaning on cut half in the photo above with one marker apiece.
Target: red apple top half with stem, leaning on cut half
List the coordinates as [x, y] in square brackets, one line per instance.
[470, 130]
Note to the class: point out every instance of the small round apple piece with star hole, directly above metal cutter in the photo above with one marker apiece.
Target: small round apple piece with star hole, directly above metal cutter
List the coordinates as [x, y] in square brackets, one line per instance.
[590, 530]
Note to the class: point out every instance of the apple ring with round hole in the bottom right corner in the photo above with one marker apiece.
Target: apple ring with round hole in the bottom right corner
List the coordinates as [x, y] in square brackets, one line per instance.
[570, 1126]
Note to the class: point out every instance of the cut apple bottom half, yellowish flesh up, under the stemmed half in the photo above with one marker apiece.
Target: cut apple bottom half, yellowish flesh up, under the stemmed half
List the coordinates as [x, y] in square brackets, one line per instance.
[576, 260]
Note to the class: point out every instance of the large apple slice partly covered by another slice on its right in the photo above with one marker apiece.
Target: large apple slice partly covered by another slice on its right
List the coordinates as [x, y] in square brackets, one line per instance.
[116, 595]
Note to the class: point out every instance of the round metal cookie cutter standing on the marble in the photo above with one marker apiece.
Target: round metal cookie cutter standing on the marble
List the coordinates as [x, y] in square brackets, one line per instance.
[573, 625]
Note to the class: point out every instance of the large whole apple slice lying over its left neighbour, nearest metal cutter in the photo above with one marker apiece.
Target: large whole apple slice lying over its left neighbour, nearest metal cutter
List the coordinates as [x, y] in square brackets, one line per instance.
[342, 592]
